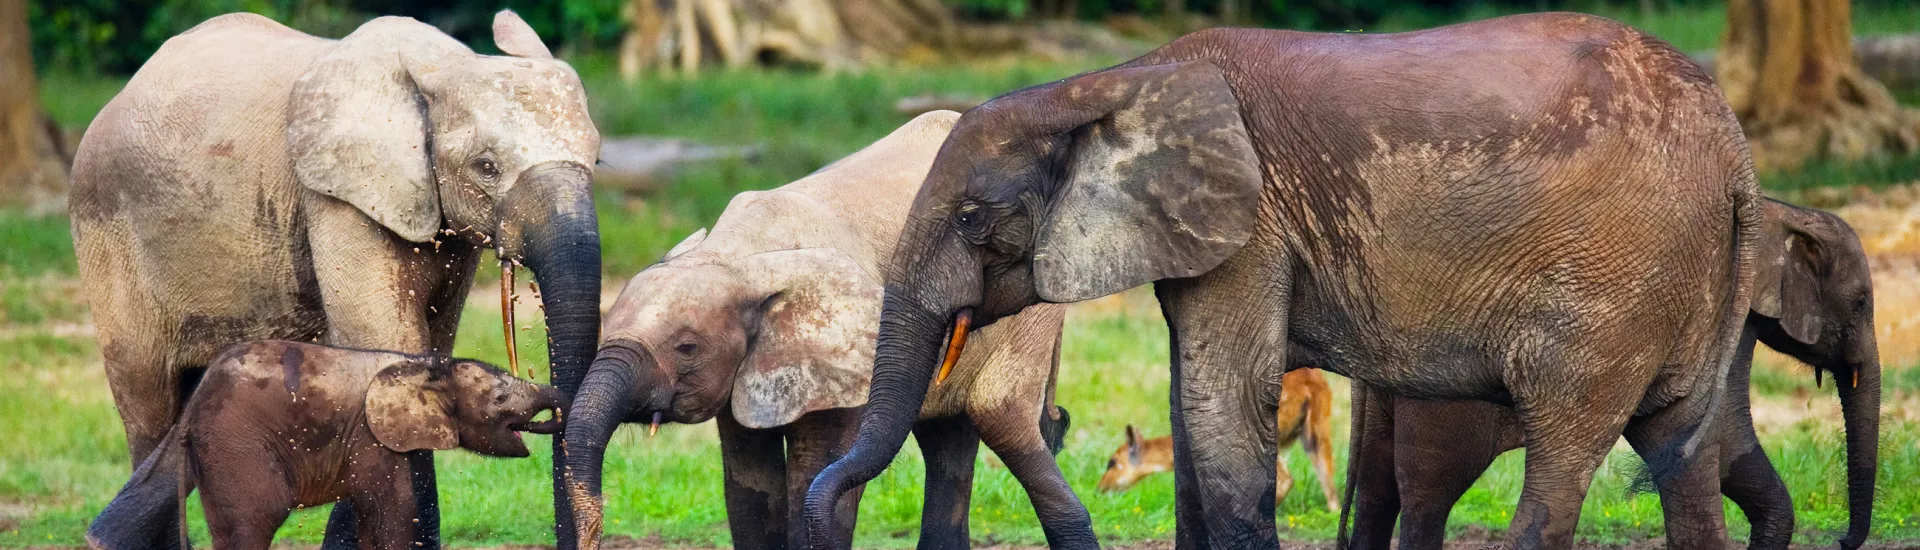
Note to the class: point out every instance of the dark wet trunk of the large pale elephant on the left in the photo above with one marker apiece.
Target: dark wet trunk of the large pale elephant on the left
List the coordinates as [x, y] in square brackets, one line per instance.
[548, 224]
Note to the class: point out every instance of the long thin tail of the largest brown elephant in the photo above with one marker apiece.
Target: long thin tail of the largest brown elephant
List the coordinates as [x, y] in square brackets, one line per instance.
[1746, 249]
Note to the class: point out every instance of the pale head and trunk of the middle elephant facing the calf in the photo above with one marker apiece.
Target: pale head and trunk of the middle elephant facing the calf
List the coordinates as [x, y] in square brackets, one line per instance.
[769, 336]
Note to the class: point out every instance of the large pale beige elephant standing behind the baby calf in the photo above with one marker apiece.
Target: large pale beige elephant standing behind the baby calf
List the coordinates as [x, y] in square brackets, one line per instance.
[252, 182]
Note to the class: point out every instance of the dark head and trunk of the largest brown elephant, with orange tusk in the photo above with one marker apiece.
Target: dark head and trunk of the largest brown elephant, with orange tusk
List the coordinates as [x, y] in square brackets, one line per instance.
[1057, 193]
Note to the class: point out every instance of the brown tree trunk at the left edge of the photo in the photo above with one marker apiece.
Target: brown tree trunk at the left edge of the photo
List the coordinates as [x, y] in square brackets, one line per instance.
[34, 162]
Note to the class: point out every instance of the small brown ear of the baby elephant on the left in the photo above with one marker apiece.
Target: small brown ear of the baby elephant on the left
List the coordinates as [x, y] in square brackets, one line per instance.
[408, 407]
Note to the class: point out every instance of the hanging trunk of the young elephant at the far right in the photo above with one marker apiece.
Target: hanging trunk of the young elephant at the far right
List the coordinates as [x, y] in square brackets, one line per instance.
[1860, 403]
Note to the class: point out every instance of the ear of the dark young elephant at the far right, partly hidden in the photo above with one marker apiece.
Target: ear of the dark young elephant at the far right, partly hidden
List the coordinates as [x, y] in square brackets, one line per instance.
[1788, 286]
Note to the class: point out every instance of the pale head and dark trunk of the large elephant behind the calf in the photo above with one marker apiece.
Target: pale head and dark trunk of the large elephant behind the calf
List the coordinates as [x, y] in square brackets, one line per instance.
[427, 139]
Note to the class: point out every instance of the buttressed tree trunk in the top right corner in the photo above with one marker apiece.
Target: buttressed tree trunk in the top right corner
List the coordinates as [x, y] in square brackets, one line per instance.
[1790, 74]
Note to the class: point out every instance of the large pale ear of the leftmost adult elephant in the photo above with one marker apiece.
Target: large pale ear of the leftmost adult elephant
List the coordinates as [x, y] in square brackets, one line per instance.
[358, 132]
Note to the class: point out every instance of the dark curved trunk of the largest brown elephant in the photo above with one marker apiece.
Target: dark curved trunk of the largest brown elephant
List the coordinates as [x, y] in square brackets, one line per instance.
[903, 366]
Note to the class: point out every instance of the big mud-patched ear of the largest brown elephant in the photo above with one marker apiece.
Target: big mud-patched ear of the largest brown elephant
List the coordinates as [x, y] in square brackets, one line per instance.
[1161, 184]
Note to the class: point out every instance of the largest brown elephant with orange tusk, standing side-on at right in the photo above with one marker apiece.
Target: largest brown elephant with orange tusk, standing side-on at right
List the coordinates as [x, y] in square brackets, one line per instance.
[1554, 212]
